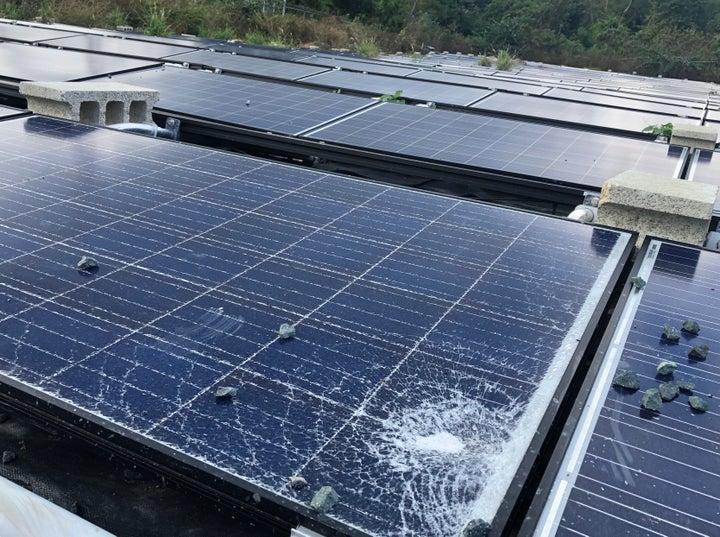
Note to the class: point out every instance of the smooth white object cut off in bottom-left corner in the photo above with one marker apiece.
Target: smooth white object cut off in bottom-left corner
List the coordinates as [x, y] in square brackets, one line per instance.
[25, 514]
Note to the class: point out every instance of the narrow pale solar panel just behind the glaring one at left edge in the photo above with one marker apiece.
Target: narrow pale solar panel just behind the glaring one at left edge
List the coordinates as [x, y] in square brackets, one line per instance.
[117, 46]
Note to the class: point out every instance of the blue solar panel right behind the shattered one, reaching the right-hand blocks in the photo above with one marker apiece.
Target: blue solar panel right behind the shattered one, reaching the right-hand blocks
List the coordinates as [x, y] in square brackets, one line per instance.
[556, 154]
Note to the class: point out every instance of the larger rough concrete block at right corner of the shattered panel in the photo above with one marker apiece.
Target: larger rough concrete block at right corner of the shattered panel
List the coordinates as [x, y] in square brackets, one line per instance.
[658, 206]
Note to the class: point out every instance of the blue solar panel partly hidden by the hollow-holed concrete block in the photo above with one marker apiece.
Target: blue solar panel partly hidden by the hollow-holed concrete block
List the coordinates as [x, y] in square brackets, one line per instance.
[246, 102]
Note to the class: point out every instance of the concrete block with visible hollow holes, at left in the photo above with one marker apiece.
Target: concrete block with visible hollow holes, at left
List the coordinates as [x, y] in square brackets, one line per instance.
[97, 103]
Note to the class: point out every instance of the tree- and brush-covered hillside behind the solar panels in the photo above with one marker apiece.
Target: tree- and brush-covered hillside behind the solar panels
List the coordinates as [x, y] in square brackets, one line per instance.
[675, 38]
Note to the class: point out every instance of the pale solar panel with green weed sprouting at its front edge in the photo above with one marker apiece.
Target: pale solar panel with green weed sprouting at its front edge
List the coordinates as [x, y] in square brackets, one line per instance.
[378, 85]
